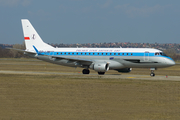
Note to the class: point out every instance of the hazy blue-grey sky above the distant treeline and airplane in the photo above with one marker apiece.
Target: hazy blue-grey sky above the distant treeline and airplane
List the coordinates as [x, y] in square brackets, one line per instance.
[92, 21]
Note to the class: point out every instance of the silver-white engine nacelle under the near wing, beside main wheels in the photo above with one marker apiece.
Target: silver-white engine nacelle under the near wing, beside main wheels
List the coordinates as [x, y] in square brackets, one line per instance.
[100, 67]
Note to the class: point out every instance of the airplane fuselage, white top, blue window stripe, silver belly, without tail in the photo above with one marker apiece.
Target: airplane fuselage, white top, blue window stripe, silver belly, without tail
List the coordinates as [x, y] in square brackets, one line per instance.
[116, 57]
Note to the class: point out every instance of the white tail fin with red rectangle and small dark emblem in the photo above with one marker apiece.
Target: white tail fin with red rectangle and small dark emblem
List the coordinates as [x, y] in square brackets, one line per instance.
[32, 38]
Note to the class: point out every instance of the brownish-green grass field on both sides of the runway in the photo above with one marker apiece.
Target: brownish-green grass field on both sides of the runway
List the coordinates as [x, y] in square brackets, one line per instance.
[34, 97]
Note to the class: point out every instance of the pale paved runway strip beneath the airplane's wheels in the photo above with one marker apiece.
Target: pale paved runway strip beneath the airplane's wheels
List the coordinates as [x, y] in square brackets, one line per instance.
[106, 76]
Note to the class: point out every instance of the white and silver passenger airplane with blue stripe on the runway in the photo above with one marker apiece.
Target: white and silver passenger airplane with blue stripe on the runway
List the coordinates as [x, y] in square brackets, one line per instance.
[99, 59]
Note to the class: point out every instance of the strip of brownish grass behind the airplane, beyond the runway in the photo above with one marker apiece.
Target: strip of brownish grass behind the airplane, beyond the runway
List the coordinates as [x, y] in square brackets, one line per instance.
[40, 66]
